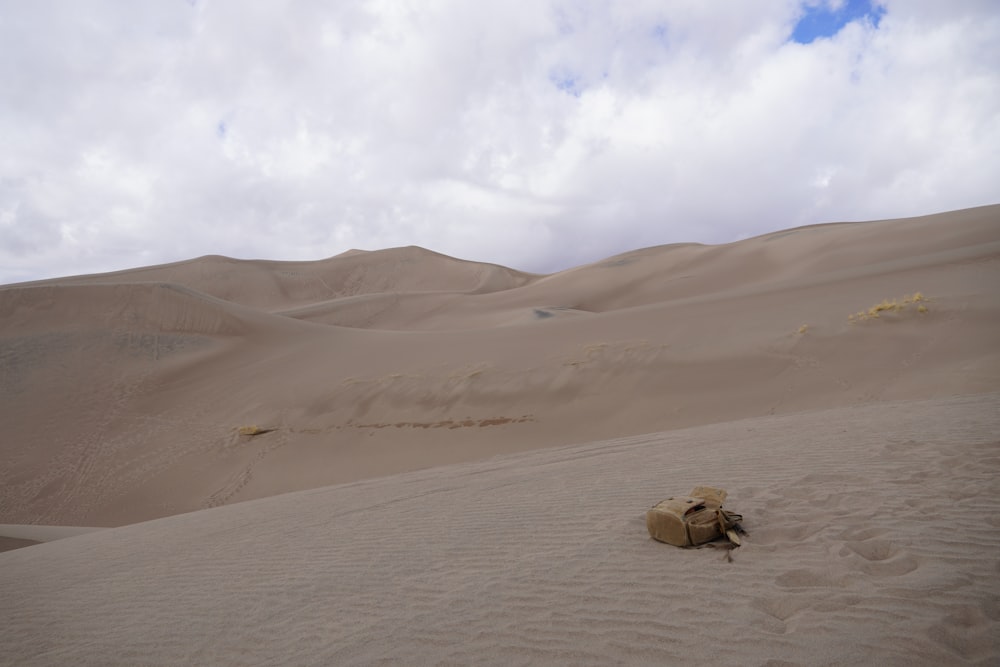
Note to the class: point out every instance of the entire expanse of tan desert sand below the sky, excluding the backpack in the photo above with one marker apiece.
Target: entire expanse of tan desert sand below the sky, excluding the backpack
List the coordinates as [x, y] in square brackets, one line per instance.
[448, 462]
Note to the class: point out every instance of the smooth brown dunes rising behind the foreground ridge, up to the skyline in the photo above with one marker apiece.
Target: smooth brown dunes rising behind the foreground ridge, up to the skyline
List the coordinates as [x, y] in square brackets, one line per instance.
[122, 394]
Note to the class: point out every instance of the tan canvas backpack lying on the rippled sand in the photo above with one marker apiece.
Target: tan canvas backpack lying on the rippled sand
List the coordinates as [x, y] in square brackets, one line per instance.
[694, 520]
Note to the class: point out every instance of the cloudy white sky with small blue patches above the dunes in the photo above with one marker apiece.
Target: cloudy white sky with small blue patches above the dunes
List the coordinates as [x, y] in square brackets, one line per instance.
[538, 134]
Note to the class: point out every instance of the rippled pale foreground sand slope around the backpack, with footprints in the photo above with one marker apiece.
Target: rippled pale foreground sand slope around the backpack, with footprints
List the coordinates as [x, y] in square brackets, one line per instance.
[873, 540]
